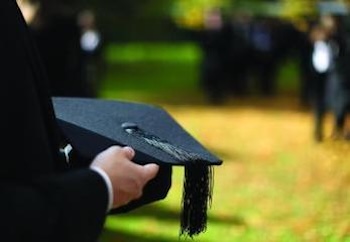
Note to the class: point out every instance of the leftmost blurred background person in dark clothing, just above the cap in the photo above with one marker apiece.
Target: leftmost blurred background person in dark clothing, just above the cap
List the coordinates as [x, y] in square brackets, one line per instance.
[57, 34]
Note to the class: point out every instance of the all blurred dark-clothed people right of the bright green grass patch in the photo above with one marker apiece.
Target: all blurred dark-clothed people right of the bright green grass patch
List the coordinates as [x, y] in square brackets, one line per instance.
[242, 54]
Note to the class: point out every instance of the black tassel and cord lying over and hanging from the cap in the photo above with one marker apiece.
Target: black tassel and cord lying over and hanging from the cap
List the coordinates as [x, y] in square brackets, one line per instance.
[198, 183]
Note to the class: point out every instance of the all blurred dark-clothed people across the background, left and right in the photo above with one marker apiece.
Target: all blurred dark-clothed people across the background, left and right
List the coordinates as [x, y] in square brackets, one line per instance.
[242, 54]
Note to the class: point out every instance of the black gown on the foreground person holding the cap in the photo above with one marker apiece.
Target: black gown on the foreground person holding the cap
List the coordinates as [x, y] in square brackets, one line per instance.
[39, 200]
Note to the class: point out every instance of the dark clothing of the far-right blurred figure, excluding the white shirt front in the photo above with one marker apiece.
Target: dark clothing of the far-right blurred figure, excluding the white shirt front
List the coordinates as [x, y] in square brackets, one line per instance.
[333, 91]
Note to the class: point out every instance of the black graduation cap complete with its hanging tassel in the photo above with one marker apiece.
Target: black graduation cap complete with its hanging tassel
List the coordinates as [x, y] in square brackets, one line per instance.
[92, 125]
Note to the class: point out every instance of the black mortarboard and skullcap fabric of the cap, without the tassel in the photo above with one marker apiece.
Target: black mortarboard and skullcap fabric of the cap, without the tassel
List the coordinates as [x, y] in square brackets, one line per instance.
[94, 124]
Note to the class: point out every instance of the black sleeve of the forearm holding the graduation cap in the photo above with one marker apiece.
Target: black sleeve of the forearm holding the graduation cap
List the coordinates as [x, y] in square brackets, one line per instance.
[68, 207]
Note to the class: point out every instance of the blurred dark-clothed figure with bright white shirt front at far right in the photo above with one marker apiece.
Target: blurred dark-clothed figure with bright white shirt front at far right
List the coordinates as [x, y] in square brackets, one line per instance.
[331, 87]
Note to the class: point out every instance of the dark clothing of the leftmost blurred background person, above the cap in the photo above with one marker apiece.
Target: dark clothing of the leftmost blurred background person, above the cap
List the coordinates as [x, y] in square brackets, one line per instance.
[58, 41]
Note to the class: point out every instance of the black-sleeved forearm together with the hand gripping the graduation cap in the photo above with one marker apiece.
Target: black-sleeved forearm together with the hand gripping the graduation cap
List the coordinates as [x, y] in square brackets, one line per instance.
[72, 206]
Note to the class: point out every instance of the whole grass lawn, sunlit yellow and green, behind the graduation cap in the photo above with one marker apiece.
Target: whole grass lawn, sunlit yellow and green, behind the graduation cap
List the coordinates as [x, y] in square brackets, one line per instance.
[275, 185]
